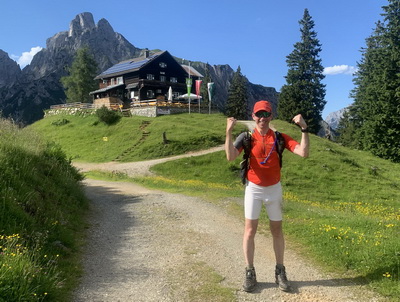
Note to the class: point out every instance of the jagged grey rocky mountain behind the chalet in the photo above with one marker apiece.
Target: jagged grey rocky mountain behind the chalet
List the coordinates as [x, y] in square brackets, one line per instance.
[38, 84]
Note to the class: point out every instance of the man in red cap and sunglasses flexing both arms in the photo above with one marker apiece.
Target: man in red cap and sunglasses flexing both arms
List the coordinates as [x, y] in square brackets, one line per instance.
[263, 185]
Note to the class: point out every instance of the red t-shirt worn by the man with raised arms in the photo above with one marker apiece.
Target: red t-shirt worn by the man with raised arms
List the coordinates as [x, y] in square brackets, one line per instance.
[268, 173]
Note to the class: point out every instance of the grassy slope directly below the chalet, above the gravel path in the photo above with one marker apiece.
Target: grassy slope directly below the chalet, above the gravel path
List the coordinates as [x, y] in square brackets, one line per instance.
[132, 139]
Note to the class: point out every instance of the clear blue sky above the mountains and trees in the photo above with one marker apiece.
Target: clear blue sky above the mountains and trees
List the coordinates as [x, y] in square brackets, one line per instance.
[255, 34]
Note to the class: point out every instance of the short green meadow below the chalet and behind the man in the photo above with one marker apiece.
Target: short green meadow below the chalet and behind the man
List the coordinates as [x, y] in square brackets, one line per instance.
[341, 205]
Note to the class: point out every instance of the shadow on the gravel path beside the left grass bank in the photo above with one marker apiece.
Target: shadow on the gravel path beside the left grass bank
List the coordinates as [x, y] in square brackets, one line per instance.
[111, 221]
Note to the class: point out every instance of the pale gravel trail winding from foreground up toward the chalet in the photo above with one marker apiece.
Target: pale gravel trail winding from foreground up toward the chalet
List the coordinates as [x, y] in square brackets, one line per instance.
[147, 245]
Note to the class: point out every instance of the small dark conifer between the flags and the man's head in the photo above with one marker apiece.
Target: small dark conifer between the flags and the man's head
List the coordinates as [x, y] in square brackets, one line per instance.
[236, 105]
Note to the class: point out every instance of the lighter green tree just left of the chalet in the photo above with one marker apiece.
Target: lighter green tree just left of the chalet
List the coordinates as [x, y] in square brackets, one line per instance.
[81, 77]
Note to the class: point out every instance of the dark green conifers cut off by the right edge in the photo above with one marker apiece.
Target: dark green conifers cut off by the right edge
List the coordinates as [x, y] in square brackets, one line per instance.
[376, 114]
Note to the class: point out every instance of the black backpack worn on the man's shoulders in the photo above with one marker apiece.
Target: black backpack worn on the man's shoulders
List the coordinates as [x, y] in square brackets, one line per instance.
[244, 164]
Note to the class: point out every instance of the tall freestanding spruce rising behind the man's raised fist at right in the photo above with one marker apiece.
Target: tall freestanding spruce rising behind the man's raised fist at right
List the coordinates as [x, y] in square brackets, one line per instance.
[304, 92]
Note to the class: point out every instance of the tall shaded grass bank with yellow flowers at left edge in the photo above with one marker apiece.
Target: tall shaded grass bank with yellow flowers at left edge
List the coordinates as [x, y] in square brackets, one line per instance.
[41, 210]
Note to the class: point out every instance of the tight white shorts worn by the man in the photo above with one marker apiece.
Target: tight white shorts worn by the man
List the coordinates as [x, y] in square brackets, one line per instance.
[256, 195]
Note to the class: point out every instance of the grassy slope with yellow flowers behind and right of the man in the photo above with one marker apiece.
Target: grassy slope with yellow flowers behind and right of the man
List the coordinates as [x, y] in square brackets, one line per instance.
[341, 205]
